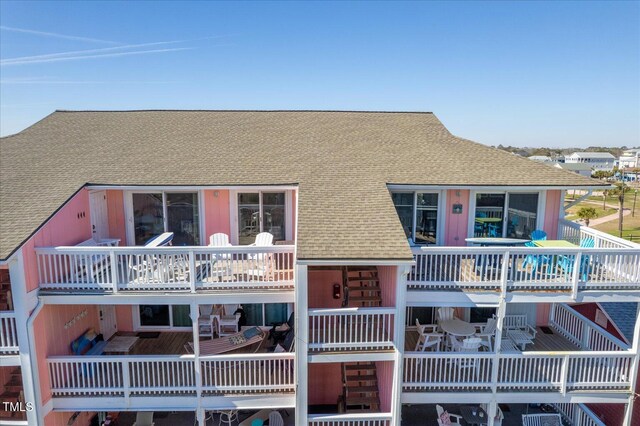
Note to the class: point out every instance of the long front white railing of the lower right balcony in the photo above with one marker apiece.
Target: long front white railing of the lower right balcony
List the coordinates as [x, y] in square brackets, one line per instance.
[527, 371]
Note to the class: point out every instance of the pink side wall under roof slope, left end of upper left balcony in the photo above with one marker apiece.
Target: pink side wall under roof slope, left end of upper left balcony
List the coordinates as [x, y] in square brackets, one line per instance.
[69, 226]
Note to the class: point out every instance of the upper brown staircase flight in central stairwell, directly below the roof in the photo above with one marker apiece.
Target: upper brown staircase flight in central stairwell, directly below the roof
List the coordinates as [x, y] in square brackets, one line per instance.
[361, 287]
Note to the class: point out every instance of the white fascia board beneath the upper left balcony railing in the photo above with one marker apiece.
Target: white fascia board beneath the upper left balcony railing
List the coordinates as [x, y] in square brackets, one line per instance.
[275, 296]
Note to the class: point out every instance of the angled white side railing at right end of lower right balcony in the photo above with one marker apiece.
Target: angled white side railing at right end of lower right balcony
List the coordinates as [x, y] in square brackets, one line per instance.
[581, 331]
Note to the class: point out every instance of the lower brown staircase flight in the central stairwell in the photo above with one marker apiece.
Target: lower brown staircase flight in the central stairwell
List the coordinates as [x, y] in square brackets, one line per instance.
[360, 388]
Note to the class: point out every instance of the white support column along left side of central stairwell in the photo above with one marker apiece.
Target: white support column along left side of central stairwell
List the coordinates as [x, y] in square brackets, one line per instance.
[301, 344]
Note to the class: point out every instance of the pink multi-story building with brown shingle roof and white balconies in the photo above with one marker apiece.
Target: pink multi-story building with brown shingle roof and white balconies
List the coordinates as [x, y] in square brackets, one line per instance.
[369, 244]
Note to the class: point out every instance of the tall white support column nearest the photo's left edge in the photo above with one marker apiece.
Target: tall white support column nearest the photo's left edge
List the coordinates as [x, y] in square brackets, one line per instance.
[28, 361]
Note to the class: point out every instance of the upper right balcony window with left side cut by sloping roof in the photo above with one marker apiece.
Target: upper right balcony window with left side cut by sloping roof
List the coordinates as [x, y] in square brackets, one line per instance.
[418, 214]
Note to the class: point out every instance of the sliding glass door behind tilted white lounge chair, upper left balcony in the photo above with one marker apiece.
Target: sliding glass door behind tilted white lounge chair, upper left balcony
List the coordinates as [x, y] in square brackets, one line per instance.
[158, 212]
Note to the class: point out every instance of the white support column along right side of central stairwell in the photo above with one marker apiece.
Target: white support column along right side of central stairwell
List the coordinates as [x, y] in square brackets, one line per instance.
[399, 331]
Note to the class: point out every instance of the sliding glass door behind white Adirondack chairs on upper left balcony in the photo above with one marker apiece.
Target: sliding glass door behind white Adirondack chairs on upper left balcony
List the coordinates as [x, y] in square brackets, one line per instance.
[260, 212]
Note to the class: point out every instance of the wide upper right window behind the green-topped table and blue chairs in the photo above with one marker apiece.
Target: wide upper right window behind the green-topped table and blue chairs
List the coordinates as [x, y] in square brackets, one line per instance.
[513, 215]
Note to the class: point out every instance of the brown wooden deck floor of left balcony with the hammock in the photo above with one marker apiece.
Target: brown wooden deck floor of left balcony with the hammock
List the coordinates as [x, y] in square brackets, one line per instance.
[173, 343]
